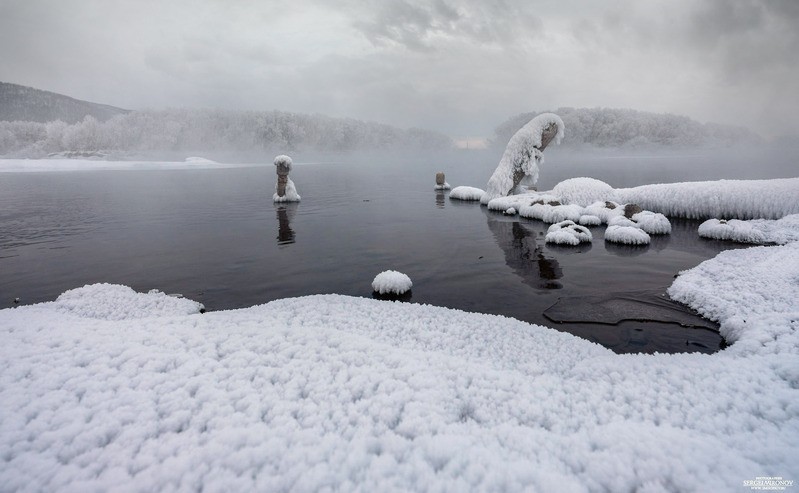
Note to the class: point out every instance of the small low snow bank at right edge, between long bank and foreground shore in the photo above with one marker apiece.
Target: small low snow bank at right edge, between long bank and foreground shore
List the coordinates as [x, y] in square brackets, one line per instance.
[781, 231]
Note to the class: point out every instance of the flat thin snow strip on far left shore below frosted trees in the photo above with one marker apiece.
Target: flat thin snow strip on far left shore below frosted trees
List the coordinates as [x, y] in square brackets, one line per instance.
[51, 165]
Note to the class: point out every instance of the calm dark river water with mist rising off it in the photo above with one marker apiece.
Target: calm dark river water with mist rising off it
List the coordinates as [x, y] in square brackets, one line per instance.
[216, 237]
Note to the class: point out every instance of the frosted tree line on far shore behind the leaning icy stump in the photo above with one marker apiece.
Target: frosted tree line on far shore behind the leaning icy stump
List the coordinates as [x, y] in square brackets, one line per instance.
[610, 127]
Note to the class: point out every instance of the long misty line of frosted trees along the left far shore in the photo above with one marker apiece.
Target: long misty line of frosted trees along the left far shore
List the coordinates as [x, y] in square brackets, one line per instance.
[197, 130]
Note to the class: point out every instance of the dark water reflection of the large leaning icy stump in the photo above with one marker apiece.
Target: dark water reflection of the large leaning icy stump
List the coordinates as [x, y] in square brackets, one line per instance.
[524, 254]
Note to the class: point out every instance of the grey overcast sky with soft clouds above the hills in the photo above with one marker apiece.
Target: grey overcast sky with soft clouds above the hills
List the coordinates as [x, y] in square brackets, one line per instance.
[460, 67]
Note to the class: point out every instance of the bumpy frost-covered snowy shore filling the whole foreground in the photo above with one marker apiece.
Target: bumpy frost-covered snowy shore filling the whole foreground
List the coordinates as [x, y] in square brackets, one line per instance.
[104, 389]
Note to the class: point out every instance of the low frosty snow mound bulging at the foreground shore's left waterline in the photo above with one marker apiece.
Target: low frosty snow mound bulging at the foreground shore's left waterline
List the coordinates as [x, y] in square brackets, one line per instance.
[117, 302]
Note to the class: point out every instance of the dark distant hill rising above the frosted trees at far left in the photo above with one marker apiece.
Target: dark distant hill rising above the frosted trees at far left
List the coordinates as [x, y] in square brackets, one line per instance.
[22, 103]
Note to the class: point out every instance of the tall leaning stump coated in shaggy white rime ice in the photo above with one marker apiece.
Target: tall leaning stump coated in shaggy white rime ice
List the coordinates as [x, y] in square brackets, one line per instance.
[519, 164]
